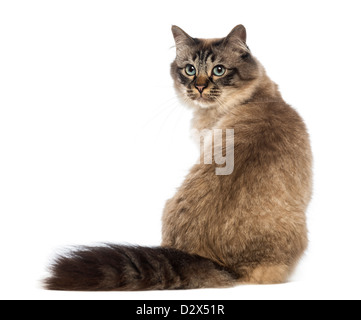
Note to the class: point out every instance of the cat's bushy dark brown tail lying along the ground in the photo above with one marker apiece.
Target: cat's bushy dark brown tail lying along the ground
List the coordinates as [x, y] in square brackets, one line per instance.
[126, 268]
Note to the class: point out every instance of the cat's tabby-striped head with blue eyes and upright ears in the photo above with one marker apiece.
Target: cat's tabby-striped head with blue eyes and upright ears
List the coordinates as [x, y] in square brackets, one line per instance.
[210, 73]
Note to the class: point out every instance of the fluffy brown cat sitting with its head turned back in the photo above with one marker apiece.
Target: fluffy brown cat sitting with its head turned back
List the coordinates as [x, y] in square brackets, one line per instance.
[246, 227]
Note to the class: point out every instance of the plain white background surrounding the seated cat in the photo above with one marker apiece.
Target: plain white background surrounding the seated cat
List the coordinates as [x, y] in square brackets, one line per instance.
[93, 140]
